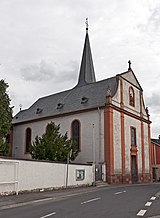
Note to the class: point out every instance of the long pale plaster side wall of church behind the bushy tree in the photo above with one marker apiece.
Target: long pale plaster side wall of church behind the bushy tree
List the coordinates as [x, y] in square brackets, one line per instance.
[86, 119]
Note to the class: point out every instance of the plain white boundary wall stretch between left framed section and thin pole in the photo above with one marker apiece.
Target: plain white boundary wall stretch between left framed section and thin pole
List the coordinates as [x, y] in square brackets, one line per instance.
[41, 174]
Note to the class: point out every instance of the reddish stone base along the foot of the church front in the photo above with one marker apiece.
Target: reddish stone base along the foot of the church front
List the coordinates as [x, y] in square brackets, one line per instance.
[126, 179]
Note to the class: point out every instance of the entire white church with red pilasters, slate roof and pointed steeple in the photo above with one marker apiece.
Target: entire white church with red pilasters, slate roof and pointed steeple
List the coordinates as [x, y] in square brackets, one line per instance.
[107, 119]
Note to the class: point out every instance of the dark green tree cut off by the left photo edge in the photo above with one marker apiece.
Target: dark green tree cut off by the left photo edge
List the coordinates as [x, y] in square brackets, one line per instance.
[5, 119]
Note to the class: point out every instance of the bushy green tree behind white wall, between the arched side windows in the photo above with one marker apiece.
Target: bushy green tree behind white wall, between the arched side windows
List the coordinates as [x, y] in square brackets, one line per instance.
[53, 145]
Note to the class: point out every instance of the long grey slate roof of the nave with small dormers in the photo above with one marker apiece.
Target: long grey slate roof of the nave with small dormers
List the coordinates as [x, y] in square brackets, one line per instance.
[79, 98]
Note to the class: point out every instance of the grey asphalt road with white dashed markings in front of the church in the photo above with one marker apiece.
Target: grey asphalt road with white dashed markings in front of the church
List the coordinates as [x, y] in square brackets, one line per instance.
[108, 201]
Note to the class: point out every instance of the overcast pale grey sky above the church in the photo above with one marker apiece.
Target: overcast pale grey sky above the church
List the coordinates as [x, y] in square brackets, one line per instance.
[41, 44]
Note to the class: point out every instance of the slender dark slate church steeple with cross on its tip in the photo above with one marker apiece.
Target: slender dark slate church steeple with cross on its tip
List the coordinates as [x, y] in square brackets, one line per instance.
[87, 74]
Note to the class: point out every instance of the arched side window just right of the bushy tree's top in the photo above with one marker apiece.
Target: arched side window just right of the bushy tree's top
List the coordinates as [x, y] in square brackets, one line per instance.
[75, 131]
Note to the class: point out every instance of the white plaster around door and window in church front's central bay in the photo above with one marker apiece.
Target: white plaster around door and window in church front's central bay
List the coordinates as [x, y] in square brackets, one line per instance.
[129, 121]
